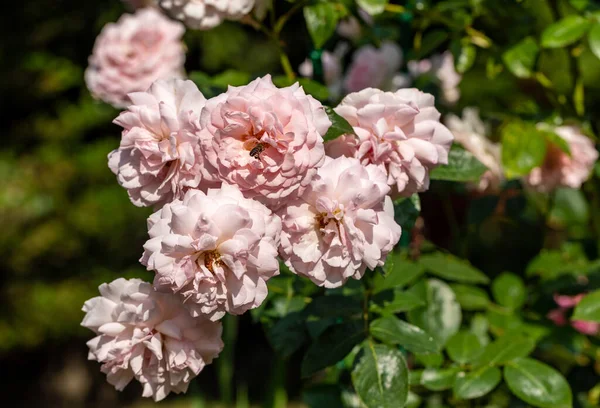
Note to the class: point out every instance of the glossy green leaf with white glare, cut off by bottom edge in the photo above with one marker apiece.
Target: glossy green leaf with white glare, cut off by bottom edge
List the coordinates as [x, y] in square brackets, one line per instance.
[380, 377]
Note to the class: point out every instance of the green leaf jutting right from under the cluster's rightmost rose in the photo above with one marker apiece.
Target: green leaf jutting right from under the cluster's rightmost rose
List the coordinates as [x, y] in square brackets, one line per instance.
[462, 166]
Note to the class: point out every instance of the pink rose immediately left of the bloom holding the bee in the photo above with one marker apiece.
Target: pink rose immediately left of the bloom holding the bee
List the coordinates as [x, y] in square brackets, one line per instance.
[159, 155]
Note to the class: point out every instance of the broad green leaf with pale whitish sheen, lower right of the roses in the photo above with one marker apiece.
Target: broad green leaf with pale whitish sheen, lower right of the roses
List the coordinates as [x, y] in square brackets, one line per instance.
[442, 316]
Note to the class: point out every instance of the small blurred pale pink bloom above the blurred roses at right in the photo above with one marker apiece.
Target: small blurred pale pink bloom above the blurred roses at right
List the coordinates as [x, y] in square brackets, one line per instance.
[441, 66]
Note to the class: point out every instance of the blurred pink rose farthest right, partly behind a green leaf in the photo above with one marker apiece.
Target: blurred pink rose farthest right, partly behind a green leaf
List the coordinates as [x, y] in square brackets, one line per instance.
[561, 170]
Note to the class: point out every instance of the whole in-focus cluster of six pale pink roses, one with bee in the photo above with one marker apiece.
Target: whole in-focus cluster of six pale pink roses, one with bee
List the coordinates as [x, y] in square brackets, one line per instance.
[238, 180]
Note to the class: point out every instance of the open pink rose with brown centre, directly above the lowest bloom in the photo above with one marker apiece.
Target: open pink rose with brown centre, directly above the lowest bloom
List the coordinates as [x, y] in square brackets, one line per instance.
[217, 250]
